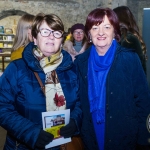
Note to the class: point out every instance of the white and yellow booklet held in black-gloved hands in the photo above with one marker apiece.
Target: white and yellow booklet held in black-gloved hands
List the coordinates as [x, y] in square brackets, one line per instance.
[52, 122]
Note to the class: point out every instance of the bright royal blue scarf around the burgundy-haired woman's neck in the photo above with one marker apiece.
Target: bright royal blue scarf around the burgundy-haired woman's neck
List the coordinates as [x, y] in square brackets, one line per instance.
[98, 67]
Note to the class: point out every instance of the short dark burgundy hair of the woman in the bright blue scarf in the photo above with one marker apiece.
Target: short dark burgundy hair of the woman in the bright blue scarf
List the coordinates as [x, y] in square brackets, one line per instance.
[96, 17]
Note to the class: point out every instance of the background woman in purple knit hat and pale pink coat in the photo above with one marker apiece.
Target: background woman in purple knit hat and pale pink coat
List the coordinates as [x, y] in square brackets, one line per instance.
[78, 42]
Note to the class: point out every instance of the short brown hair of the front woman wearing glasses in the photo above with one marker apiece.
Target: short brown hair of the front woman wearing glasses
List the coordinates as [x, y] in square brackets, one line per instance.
[52, 20]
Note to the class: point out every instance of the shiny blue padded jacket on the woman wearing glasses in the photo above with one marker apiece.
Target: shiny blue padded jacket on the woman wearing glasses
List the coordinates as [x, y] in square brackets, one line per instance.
[22, 100]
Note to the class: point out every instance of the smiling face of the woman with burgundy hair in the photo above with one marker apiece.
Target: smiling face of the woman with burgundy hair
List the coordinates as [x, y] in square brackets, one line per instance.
[102, 36]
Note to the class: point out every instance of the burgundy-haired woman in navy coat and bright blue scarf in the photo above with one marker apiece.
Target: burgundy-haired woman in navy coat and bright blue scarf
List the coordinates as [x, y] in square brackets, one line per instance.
[114, 93]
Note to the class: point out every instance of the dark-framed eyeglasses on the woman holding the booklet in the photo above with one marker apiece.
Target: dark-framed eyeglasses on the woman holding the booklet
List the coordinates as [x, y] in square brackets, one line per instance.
[47, 32]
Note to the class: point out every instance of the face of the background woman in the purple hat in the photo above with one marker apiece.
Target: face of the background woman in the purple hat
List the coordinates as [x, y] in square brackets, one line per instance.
[78, 35]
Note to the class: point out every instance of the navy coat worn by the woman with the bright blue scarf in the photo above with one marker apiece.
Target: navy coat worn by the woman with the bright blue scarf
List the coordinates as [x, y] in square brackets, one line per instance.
[127, 102]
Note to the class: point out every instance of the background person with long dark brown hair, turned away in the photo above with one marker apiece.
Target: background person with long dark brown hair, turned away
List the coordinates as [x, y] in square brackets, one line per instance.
[130, 36]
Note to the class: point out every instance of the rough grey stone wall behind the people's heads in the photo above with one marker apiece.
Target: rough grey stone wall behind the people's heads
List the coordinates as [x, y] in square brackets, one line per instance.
[70, 11]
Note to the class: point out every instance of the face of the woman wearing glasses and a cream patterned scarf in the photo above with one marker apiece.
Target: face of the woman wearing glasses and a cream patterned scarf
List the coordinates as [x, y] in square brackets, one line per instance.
[47, 45]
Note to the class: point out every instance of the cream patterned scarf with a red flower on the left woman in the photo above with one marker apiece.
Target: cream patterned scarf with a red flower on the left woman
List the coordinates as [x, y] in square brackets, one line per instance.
[55, 99]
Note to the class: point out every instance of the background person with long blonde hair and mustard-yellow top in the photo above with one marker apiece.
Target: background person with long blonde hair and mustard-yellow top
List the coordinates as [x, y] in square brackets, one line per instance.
[23, 36]
